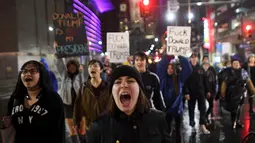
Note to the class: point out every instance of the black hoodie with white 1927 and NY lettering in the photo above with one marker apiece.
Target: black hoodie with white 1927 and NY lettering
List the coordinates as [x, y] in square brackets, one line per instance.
[43, 122]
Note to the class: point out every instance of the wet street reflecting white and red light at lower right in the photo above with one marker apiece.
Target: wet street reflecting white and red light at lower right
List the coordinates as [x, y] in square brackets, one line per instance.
[220, 127]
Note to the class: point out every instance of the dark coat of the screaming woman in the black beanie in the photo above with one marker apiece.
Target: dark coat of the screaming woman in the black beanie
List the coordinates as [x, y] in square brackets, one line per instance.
[138, 128]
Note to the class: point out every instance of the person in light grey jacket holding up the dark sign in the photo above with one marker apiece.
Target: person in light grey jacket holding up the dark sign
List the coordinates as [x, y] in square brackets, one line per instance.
[72, 81]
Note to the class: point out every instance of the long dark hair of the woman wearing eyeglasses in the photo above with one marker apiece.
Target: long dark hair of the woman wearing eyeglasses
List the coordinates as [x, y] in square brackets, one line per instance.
[44, 80]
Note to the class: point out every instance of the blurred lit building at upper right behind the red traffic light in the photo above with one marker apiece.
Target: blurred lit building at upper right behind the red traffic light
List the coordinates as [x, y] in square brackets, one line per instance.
[230, 23]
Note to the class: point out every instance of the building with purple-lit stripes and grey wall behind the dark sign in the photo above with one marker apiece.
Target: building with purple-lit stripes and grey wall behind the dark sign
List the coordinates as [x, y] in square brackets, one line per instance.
[27, 32]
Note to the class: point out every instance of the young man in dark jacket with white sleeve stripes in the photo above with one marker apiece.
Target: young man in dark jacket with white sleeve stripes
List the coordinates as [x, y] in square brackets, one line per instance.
[151, 82]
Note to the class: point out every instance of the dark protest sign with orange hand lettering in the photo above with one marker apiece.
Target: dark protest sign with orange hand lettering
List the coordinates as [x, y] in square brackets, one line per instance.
[70, 36]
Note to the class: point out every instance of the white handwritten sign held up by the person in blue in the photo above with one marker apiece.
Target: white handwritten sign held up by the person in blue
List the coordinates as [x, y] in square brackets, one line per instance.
[178, 40]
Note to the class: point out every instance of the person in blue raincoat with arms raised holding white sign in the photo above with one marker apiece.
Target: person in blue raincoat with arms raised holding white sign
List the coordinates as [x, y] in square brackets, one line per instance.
[171, 87]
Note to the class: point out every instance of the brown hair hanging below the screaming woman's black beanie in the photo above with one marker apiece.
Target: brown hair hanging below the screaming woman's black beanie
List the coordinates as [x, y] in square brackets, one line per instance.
[142, 105]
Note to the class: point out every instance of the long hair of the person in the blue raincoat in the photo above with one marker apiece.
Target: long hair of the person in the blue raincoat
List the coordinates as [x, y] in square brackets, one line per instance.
[175, 76]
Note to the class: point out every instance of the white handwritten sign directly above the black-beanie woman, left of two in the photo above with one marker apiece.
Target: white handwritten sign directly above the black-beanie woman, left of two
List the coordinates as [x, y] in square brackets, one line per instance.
[118, 46]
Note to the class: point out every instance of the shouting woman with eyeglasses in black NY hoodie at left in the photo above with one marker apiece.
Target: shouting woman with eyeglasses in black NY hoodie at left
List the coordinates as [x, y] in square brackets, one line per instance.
[35, 110]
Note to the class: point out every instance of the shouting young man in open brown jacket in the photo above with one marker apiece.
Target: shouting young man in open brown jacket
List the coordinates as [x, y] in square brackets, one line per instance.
[92, 100]
